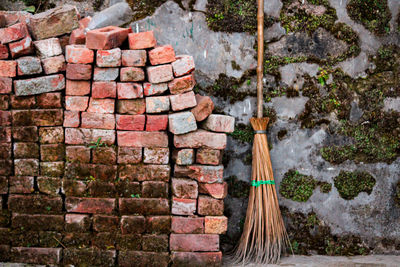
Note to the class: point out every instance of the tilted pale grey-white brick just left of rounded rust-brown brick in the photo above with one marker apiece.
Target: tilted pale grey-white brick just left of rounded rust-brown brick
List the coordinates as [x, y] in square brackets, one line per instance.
[181, 122]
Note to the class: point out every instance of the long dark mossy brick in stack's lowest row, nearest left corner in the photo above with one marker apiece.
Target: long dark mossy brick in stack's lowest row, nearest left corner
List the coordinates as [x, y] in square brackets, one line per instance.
[36, 255]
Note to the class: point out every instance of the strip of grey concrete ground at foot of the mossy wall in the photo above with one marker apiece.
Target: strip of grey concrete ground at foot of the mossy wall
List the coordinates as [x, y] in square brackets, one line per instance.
[329, 261]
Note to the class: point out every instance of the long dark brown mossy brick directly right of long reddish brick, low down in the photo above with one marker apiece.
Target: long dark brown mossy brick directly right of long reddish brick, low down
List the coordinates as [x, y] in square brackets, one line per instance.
[144, 206]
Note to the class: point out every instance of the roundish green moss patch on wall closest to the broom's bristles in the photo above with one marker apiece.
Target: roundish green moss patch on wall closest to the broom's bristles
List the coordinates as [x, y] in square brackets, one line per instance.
[297, 186]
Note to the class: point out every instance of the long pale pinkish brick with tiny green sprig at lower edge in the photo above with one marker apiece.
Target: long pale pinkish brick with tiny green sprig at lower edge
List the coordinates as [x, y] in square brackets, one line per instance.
[77, 136]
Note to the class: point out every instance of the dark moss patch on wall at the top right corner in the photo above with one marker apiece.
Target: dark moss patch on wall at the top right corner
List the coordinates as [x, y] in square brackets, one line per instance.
[373, 14]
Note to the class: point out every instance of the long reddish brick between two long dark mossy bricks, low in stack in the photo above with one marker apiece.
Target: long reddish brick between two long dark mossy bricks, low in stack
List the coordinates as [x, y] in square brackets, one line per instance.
[90, 205]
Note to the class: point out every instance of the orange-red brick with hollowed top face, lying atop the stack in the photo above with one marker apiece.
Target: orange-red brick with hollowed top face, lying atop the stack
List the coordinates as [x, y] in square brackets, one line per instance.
[106, 38]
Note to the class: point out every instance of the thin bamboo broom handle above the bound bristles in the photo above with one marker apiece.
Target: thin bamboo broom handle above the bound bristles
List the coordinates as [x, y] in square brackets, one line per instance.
[260, 57]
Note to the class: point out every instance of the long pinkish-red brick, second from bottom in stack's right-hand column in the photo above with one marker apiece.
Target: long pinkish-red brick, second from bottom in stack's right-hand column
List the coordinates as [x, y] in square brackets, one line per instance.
[194, 242]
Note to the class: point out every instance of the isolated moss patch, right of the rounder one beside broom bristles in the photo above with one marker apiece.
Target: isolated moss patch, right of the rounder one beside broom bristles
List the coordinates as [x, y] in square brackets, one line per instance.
[350, 184]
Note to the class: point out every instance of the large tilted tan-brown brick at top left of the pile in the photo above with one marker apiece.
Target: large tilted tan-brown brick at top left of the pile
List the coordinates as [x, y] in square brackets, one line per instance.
[54, 22]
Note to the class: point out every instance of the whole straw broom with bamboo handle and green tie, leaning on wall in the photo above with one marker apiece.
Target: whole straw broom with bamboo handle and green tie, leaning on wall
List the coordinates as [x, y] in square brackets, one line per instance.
[264, 235]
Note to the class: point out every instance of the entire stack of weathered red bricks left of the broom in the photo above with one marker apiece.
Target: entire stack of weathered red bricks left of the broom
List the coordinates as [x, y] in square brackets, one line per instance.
[149, 193]
